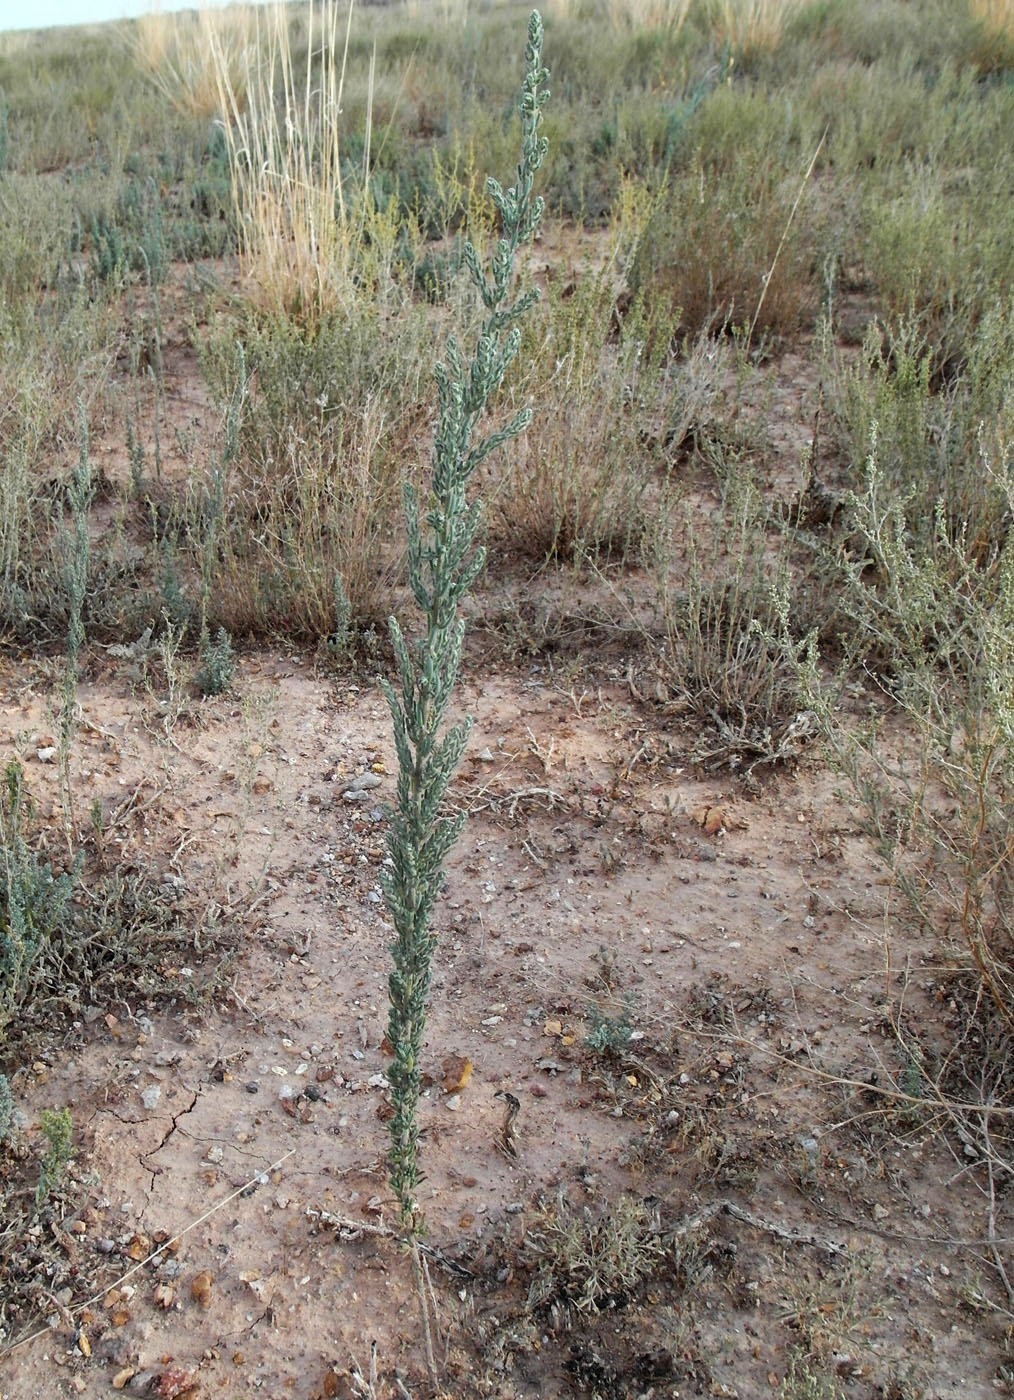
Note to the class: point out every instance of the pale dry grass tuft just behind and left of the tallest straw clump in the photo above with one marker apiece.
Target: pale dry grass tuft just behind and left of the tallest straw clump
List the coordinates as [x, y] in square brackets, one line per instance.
[176, 52]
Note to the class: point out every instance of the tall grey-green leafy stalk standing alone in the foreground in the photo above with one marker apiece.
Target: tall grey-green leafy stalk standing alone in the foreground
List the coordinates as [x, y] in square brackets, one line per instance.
[443, 565]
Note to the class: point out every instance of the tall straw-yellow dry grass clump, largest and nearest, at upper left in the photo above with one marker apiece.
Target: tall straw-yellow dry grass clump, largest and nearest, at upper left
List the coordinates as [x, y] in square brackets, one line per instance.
[302, 232]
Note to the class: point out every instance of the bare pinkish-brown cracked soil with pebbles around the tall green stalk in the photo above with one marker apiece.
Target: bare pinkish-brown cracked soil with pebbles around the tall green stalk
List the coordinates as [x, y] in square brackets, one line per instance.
[599, 877]
